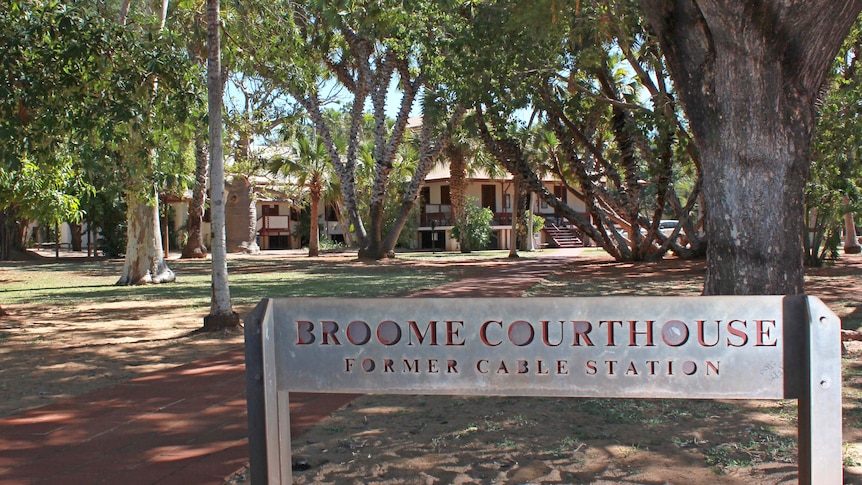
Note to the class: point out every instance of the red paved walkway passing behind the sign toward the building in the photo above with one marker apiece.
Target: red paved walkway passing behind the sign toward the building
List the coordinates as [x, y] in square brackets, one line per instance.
[186, 425]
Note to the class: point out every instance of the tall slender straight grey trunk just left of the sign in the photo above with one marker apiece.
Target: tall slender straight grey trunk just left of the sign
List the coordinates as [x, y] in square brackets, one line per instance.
[221, 312]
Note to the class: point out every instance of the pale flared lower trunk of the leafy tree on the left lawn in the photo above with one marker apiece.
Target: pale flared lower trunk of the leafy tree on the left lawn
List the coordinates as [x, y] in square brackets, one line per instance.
[145, 260]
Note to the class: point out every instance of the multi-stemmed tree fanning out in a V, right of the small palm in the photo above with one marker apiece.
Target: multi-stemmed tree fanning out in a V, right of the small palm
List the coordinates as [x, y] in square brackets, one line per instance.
[365, 48]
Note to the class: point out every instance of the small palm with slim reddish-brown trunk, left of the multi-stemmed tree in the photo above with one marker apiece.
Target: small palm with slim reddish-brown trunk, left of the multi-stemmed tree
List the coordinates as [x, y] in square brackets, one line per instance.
[308, 165]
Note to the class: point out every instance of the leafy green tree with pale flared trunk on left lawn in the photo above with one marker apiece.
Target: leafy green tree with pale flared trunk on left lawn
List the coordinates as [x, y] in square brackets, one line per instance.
[82, 85]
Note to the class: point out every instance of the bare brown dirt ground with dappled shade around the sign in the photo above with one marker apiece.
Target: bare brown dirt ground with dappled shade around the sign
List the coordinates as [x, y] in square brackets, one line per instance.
[47, 355]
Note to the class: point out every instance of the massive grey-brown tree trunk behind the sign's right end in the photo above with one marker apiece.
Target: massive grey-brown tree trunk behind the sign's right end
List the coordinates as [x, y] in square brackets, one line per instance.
[749, 76]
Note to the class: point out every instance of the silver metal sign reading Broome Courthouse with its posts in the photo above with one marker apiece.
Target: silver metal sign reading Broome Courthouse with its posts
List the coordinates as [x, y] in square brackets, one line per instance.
[752, 347]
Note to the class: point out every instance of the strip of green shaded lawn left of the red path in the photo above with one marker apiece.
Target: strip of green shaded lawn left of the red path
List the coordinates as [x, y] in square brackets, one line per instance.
[251, 278]
